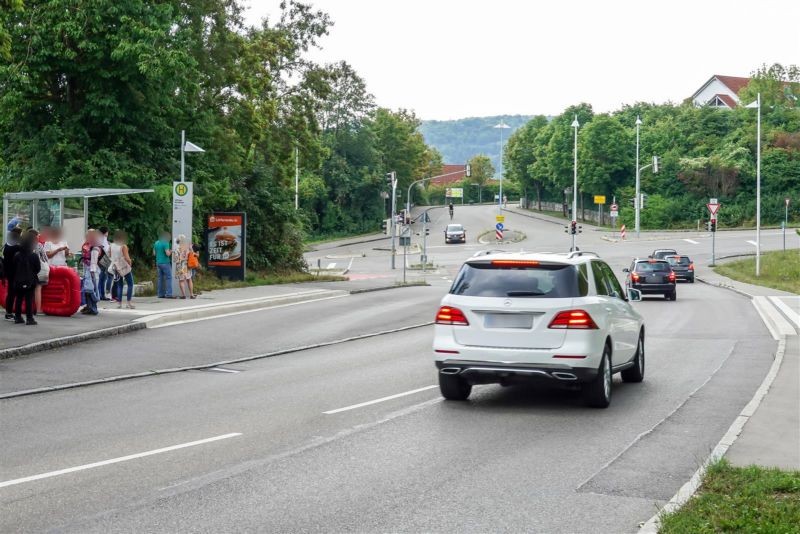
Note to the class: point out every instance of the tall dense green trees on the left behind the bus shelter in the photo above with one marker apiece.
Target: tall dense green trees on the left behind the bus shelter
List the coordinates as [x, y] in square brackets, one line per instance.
[95, 94]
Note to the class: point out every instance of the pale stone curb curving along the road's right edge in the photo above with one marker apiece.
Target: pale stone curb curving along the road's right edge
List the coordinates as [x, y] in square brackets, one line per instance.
[687, 491]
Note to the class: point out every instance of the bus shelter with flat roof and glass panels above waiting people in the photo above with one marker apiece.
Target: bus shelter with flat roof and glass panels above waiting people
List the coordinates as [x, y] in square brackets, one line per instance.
[67, 209]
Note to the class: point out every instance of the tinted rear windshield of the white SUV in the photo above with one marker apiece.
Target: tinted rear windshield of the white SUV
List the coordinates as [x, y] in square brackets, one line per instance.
[483, 279]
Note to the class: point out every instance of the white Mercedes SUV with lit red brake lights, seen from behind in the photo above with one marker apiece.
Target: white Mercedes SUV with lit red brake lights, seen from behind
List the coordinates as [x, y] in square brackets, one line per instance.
[522, 317]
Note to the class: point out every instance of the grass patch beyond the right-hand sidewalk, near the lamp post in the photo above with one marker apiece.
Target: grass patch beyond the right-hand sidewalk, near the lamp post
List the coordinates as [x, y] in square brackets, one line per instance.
[779, 270]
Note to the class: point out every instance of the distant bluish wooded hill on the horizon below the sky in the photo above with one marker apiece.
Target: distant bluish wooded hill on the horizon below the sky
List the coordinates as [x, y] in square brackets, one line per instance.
[459, 140]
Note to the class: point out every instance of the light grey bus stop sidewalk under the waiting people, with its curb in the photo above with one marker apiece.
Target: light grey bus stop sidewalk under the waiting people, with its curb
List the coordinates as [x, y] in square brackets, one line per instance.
[53, 332]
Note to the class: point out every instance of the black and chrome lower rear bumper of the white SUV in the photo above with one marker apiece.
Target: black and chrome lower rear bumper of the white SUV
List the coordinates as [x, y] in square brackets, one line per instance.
[501, 373]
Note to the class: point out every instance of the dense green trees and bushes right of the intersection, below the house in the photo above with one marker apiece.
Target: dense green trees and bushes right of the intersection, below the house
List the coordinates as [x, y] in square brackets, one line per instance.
[705, 152]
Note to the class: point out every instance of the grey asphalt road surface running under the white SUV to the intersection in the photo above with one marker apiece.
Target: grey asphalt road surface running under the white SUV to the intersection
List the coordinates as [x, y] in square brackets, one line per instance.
[510, 459]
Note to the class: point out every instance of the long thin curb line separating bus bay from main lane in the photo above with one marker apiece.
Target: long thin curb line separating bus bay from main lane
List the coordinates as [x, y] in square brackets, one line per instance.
[130, 376]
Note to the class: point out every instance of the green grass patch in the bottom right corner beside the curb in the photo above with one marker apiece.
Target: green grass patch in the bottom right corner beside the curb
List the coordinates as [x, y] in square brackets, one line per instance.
[753, 500]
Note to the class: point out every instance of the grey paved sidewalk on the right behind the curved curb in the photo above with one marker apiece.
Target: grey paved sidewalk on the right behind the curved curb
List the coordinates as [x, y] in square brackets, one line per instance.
[771, 435]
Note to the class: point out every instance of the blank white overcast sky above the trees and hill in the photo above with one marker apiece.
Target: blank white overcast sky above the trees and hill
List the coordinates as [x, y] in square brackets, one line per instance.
[448, 59]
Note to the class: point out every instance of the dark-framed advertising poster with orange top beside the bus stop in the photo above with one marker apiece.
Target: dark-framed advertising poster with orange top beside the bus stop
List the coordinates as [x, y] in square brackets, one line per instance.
[226, 239]
